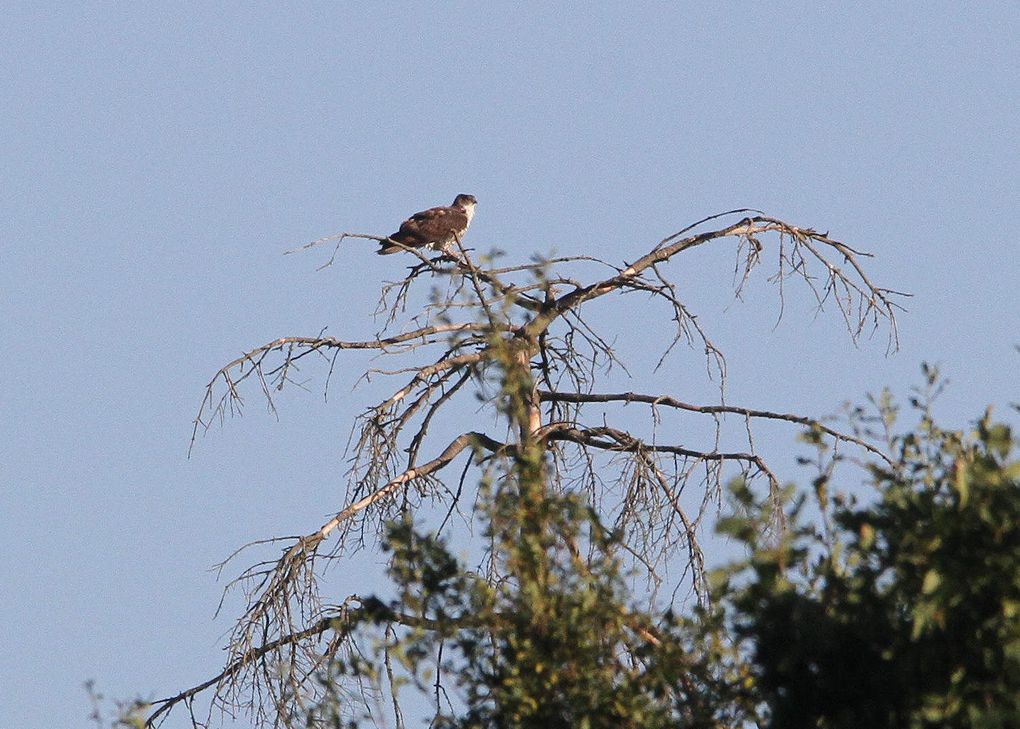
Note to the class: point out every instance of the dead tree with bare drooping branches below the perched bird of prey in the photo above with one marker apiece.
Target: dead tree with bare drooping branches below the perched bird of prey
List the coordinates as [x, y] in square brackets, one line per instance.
[446, 352]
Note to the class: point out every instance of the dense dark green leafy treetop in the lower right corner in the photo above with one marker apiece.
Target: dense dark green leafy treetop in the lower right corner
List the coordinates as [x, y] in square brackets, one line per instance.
[909, 614]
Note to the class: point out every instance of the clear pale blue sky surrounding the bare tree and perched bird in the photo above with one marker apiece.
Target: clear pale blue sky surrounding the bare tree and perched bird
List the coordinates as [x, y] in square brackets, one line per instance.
[159, 159]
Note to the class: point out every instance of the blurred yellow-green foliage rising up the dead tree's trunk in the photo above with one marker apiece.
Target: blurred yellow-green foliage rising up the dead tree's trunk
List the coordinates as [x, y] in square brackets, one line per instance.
[552, 643]
